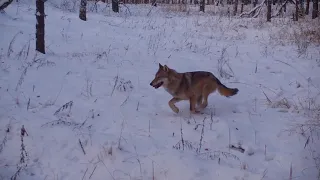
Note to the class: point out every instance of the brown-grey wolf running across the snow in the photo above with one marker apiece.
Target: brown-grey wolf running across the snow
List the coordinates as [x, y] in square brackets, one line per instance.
[194, 86]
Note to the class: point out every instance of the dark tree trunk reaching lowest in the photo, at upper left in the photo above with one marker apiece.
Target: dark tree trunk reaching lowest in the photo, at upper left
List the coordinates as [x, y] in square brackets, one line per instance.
[40, 45]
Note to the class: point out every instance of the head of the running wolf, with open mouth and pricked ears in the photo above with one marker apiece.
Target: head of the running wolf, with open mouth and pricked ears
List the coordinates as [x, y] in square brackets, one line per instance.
[161, 77]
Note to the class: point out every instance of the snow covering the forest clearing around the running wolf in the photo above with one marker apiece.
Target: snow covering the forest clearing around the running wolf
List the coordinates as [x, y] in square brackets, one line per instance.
[103, 67]
